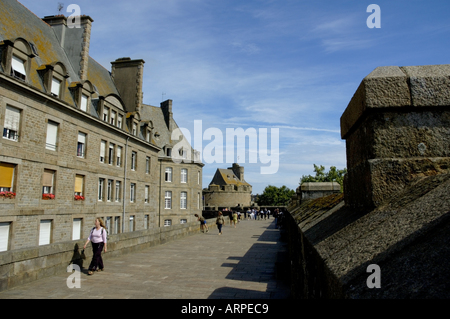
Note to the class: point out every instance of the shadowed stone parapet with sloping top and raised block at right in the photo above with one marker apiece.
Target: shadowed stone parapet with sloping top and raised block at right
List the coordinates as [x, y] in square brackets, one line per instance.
[395, 212]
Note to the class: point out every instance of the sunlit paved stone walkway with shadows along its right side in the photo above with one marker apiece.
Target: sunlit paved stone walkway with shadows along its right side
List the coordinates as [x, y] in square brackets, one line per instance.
[240, 264]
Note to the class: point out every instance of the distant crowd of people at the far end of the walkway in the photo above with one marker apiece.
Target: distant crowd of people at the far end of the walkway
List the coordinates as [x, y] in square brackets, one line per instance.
[236, 216]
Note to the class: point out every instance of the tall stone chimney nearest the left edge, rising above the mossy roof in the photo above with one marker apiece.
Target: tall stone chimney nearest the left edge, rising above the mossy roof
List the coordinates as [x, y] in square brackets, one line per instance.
[74, 41]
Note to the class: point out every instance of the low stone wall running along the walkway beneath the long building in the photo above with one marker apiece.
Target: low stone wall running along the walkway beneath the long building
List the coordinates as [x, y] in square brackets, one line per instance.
[28, 264]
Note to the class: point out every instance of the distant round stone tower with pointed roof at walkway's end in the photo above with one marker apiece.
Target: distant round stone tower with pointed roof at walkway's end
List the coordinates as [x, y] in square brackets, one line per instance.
[228, 189]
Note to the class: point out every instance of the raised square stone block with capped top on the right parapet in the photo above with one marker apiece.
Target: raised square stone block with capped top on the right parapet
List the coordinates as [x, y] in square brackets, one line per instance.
[397, 129]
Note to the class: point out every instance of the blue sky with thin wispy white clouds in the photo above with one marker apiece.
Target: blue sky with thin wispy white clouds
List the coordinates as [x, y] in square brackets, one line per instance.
[290, 66]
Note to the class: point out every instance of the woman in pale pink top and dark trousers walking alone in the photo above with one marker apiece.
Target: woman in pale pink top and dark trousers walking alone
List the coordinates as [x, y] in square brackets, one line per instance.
[98, 239]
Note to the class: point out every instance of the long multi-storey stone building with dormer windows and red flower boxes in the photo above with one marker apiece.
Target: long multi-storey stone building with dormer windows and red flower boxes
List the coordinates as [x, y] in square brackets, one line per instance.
[79, 143]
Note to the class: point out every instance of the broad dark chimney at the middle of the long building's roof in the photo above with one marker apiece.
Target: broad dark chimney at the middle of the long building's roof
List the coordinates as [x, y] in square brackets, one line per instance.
[128, 75]
